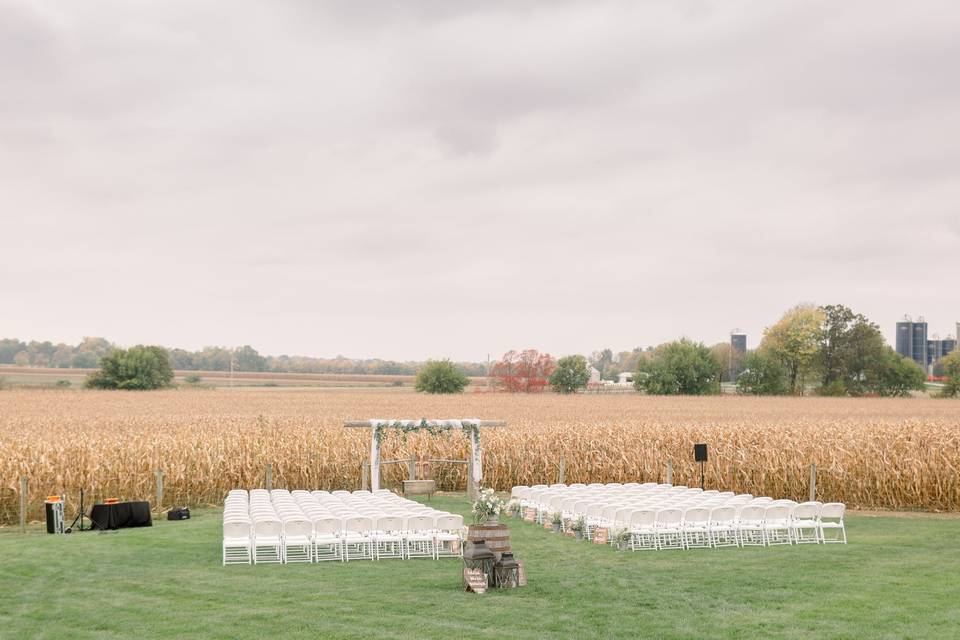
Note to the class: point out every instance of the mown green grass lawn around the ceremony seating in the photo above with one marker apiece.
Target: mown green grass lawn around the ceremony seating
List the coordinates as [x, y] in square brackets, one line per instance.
[898, 578]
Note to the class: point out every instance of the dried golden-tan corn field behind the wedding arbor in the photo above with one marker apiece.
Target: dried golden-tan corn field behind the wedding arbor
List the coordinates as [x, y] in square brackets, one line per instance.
[871, 453]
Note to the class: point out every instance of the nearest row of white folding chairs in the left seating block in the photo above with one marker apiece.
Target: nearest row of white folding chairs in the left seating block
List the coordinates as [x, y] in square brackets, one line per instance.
[332, 538]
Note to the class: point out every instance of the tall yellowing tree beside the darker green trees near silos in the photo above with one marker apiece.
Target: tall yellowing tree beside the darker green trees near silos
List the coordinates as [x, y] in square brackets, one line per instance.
[795, 341]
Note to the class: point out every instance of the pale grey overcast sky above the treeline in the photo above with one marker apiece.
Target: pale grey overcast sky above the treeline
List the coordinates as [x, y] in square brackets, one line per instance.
[452, 179]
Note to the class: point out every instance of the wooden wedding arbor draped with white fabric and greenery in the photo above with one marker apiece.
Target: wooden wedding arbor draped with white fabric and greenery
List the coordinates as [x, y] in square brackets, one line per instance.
[379, 428]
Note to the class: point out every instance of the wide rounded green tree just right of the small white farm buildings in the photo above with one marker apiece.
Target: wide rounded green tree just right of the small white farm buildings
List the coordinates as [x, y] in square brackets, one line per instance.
[682, 367]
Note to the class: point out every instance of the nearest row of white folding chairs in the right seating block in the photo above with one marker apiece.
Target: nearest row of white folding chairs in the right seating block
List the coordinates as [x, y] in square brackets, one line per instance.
[759, 525]
